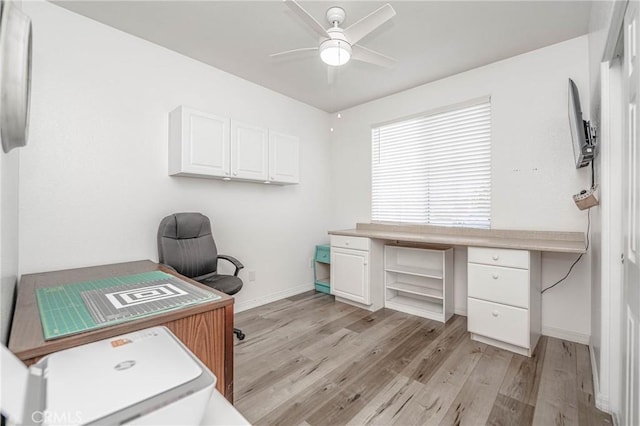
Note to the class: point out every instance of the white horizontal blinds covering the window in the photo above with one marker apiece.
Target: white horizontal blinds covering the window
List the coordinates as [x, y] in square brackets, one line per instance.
[434, 169]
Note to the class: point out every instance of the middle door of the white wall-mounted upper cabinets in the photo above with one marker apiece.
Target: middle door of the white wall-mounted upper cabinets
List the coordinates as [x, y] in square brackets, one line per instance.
[249, 151]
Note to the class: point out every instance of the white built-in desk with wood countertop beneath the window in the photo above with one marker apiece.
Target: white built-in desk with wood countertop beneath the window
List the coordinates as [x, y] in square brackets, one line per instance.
[503, 275]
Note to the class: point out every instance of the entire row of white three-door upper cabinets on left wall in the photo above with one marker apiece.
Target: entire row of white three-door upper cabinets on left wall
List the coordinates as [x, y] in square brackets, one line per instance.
[205, 145]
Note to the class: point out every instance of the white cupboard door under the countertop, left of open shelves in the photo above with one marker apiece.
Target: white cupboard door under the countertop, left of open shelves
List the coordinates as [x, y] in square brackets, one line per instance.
[350, 274]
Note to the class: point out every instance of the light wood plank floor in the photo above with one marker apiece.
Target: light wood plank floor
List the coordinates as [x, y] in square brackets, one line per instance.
[311, 360]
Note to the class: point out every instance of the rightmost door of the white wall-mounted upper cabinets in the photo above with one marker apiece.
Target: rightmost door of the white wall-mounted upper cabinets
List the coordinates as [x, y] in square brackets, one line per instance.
[284, 157]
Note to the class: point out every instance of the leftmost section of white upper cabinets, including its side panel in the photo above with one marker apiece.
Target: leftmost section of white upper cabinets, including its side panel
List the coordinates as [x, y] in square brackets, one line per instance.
[198, 143]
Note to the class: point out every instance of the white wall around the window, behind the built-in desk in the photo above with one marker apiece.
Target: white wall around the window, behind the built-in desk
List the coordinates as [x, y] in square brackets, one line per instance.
[533, 174]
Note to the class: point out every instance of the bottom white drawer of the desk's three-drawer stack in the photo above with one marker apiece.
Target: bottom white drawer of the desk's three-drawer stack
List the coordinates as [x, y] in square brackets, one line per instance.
[500, 322]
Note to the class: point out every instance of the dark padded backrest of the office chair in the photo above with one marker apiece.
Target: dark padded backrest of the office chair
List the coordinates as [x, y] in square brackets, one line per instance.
[185, 242]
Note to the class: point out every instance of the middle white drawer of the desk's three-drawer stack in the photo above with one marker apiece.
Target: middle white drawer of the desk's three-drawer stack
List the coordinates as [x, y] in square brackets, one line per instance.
[499, 284]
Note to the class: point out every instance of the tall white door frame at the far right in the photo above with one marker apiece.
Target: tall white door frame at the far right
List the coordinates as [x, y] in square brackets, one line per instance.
[608, 381]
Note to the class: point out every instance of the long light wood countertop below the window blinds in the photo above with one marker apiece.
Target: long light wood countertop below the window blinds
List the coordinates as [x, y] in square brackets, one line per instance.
[552, 241]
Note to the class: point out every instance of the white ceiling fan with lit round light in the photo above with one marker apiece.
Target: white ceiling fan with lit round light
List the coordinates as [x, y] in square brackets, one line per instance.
[337, 45]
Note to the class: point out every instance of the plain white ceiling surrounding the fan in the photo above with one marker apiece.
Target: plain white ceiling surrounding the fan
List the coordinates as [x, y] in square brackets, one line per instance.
[429, 39]
